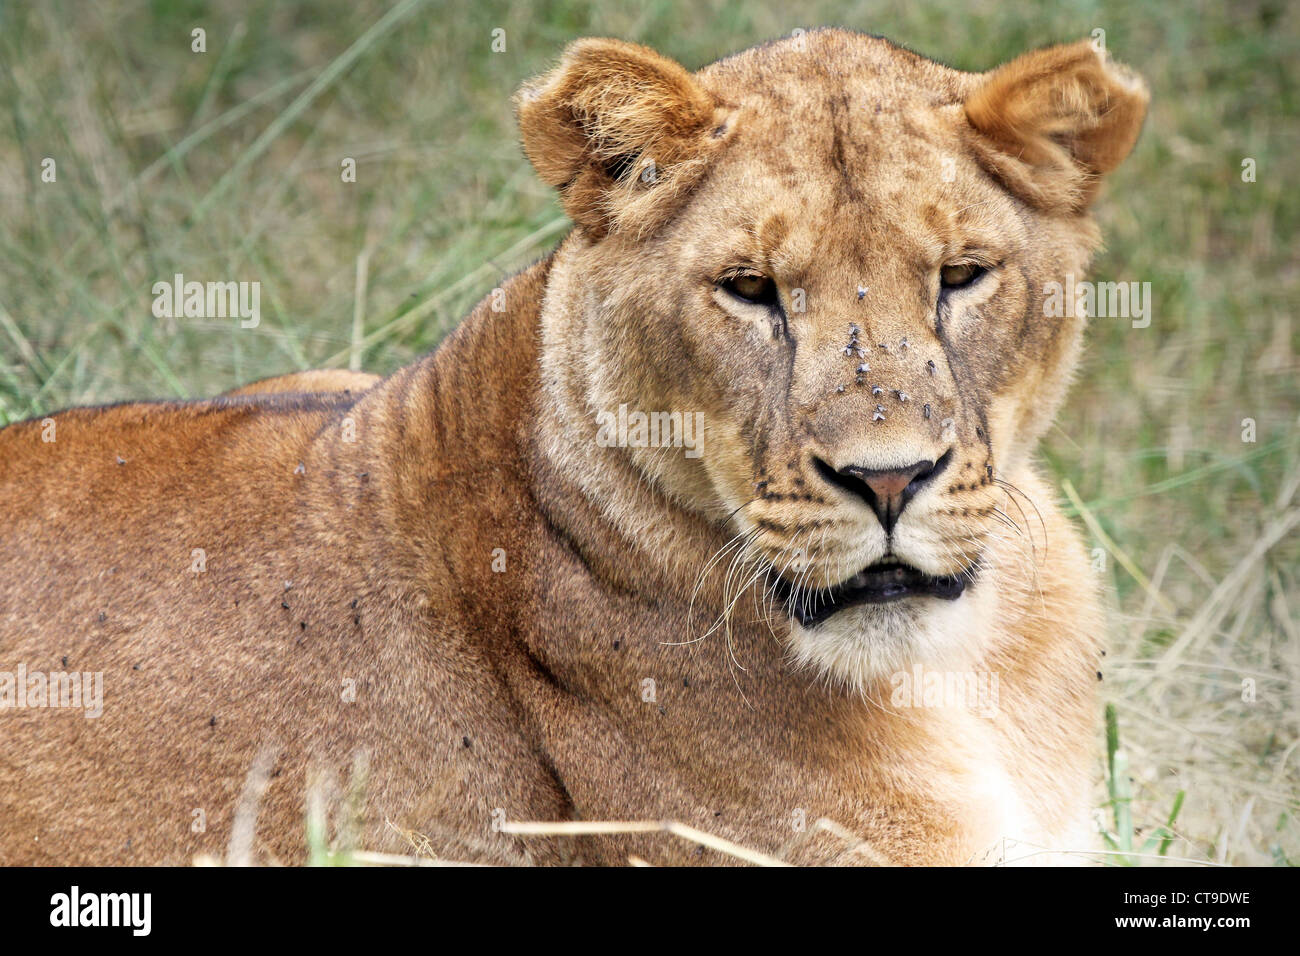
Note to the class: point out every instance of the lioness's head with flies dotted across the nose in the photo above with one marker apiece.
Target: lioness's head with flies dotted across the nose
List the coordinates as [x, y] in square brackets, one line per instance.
[838, 252]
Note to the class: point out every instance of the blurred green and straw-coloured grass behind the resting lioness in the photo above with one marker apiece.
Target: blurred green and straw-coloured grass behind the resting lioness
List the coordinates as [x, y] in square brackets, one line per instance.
[227, 165]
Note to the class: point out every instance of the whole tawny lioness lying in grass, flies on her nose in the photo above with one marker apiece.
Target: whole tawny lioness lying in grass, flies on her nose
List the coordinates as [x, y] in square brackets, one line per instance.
[723, 513]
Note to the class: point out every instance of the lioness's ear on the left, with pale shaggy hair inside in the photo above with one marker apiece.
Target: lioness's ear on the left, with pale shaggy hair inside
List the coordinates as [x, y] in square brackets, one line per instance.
[621, 132]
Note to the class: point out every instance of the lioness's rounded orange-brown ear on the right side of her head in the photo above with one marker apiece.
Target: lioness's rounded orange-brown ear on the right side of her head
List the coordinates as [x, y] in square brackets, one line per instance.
[1052, 123]
